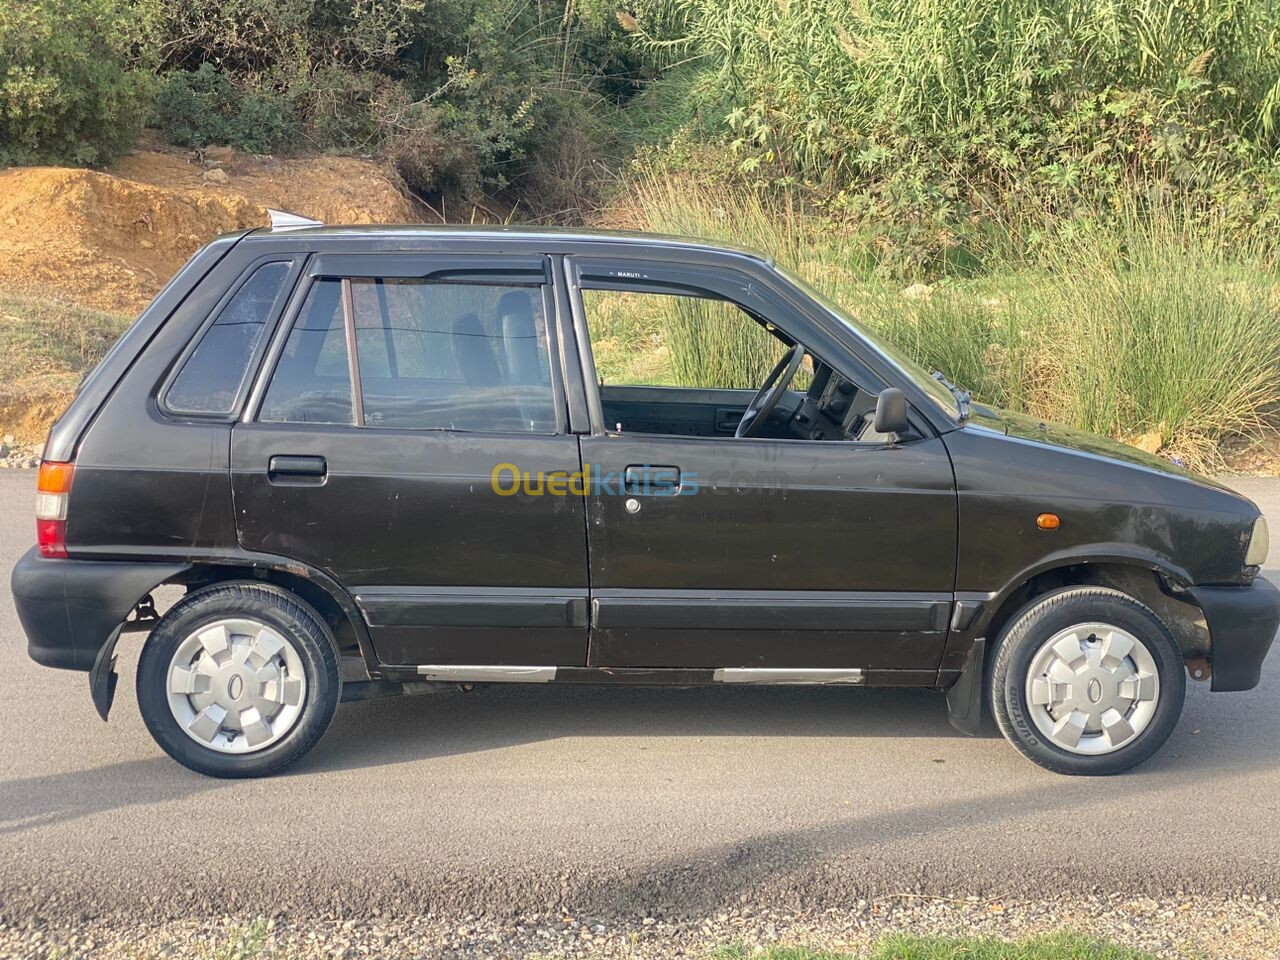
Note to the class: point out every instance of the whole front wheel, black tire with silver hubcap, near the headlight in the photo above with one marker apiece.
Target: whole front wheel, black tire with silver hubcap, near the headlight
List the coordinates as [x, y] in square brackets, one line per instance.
[1049, 689]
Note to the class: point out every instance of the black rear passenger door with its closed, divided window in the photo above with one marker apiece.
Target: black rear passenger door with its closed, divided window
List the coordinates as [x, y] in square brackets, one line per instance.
[395, 391]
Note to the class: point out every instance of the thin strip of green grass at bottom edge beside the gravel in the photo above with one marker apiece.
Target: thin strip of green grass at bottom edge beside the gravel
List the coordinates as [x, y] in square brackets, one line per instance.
[1059, 947]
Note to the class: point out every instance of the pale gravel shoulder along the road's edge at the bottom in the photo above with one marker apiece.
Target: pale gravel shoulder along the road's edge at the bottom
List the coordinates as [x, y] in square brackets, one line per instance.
[1180, 929]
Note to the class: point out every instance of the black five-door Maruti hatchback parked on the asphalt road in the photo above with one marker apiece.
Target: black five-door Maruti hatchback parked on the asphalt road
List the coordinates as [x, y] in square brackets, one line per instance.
[382, 458]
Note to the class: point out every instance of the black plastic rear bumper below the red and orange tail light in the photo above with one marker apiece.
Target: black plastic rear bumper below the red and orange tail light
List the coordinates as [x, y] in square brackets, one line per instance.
[71, 609]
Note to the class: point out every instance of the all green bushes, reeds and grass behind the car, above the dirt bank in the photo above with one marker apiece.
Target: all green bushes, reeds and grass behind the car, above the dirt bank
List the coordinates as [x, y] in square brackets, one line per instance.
[1090, 191]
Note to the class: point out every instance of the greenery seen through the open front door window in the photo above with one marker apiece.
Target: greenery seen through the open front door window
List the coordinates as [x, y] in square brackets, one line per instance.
[659, 340]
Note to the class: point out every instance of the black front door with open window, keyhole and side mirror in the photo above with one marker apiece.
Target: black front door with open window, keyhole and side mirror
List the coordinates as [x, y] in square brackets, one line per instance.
[710, 551]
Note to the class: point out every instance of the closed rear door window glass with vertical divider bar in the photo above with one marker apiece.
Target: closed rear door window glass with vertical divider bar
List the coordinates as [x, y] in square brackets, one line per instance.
[431, 356]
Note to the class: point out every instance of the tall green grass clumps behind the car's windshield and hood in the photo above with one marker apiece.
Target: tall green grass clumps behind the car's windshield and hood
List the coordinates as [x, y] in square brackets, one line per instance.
[1156, 327]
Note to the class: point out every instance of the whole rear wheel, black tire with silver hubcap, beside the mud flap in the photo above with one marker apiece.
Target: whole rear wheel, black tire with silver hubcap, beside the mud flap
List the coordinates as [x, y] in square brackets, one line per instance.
[239, 680]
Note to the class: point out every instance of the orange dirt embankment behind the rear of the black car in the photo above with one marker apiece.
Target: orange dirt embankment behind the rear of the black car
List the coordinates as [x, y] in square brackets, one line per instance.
[108, 241]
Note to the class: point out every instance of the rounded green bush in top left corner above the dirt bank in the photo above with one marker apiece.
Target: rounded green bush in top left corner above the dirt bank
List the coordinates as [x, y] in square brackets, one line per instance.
[68, 88]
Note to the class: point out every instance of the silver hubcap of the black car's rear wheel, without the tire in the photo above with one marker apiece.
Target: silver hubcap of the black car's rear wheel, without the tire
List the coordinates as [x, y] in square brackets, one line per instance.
[236, 687]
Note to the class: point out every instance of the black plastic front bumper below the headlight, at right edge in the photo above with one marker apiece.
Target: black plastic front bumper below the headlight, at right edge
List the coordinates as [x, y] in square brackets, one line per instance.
[1242, 625]
